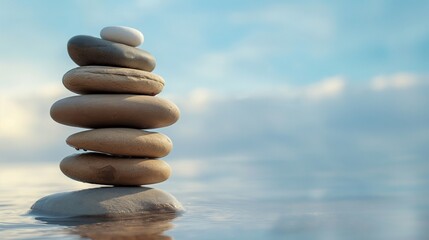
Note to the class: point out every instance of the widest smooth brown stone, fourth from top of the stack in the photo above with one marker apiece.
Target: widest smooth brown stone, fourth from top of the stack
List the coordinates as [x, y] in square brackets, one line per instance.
[115, 110]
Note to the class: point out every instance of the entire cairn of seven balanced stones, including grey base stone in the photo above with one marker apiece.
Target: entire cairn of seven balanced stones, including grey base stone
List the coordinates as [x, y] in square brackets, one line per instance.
[116, 102]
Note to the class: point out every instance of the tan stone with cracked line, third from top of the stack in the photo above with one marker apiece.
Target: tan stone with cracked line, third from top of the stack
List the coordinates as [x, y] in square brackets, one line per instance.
[102, 79]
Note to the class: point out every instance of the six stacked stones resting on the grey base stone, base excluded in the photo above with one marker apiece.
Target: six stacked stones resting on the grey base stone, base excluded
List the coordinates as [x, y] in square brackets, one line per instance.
[116, 102]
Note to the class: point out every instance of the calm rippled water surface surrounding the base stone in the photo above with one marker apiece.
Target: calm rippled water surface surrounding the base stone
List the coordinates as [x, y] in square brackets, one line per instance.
[236, 199]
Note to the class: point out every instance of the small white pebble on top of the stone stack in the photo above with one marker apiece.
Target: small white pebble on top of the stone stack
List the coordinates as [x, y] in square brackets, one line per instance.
[125, 35]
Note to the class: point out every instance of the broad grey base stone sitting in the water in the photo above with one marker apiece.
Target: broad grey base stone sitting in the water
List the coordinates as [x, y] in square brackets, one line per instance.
[108, 201]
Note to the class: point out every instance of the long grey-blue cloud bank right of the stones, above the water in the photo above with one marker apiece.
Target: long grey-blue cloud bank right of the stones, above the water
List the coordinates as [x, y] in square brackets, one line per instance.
[299, 123]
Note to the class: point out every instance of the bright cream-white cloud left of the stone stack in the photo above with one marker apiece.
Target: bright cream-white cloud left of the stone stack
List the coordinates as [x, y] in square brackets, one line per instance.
[25, 119]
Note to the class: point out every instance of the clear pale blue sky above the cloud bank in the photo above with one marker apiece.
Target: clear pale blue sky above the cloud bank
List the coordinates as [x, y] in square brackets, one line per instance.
[231, 46]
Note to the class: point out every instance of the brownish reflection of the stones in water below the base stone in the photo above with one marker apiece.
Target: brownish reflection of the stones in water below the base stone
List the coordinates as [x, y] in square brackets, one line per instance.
[147, 226]
